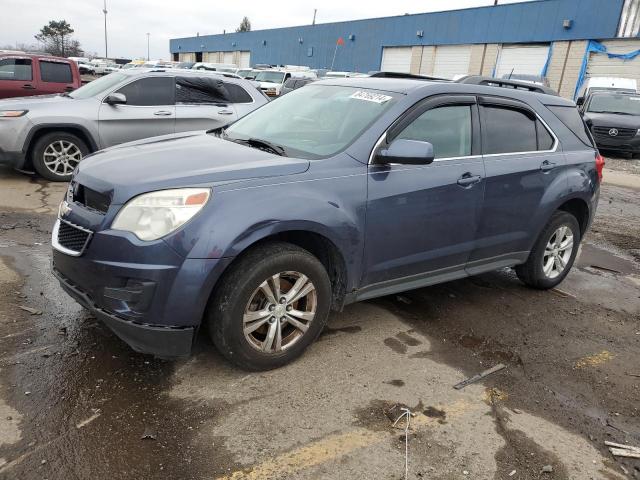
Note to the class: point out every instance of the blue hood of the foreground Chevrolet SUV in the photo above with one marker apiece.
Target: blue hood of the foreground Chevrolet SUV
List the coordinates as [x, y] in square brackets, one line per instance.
[175, 161]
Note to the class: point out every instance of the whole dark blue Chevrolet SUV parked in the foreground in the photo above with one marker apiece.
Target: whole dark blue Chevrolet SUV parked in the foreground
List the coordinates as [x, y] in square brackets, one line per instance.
[341, 191]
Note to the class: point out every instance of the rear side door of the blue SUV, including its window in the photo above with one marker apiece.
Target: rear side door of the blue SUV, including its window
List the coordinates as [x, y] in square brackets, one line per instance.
[522, 160]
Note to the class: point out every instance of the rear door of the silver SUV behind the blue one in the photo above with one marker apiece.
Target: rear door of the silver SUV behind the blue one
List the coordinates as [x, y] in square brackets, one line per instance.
[202, 103]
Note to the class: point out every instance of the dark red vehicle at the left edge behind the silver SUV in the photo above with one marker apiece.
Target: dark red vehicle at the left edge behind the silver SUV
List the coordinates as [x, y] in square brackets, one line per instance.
[24, 74]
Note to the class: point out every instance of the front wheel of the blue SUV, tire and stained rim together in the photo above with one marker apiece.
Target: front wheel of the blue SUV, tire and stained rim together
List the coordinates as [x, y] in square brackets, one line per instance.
[240, 299]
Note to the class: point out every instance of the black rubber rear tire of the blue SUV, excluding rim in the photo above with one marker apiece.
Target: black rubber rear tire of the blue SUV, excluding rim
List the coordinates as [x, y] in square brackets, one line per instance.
[530, 272]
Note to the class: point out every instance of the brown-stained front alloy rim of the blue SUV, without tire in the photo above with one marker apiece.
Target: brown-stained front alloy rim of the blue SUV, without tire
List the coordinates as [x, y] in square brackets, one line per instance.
[279, 312]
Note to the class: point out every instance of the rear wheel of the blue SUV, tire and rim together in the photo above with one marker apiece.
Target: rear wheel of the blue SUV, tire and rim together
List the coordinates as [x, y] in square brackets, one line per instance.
[532, 272]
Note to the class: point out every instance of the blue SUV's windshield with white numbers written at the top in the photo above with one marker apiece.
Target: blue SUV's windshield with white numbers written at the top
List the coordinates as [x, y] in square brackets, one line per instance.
[315, 121]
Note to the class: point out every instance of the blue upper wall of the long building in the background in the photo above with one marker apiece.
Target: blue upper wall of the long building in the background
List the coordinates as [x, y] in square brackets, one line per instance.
[535, 21]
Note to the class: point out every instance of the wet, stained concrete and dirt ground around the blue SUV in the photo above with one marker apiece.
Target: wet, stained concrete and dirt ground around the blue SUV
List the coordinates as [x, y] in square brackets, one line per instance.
[77, 403]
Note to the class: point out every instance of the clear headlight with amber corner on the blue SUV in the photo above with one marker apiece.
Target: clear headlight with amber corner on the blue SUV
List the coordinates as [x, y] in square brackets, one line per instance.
[153, 215]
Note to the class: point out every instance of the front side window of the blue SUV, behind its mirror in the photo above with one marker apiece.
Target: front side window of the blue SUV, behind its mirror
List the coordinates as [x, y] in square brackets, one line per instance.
[448, 129]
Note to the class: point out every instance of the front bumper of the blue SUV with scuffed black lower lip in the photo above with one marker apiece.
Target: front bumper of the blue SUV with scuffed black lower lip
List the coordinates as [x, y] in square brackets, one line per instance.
[151, 297]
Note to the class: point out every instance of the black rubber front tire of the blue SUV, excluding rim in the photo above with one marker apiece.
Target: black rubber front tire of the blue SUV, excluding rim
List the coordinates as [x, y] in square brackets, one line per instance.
[227, 305]
